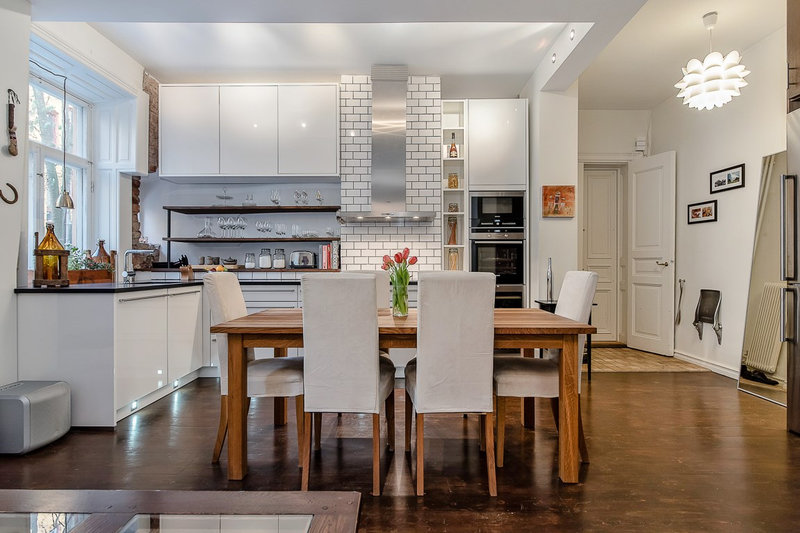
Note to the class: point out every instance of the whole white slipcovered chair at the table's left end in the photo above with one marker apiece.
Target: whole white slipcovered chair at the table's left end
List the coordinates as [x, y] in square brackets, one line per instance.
[278, 377]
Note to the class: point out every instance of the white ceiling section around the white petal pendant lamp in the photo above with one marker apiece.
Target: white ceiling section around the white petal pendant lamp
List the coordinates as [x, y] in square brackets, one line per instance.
[638, 69]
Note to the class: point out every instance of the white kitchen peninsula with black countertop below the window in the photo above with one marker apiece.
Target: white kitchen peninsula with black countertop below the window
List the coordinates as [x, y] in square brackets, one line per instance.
[118, 346]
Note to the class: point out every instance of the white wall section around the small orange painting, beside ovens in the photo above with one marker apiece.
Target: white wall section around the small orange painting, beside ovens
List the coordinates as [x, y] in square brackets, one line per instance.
[553, 138]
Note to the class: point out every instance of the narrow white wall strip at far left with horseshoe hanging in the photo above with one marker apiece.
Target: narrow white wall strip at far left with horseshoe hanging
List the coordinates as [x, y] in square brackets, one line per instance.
[14, 34]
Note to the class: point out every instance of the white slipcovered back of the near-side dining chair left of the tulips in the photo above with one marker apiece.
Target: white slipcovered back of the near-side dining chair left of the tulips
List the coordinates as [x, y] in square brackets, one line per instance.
[340, 340]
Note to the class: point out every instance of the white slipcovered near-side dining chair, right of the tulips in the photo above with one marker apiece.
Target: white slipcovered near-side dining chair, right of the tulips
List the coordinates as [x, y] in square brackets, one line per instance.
[452, 372]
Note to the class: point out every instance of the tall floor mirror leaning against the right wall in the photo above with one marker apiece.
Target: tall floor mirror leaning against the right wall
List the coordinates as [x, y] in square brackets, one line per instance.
[763, 368]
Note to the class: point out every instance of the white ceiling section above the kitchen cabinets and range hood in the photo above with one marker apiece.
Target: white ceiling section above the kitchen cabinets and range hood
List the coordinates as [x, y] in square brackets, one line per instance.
[464, 54]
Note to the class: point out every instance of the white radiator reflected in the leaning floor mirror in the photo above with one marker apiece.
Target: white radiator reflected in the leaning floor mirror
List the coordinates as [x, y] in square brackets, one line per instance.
[765, 343]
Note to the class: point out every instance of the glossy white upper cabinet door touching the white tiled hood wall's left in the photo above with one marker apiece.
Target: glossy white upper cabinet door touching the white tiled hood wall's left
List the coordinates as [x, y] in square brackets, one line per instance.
[307, 129]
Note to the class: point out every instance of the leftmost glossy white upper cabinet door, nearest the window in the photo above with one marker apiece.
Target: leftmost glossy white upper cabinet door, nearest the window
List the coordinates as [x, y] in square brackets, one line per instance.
[189, 130]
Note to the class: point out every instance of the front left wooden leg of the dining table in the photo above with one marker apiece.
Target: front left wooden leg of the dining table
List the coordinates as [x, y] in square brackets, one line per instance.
[237, 408]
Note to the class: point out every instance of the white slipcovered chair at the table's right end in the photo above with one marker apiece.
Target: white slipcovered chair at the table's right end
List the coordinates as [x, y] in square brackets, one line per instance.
[523, 377]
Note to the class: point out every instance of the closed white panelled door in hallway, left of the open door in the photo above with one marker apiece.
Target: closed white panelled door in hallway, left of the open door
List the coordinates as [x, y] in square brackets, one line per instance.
[600, 247]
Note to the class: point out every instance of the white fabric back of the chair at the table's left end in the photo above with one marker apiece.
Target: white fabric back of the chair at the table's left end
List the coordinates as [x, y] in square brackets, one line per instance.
[227, 303]
